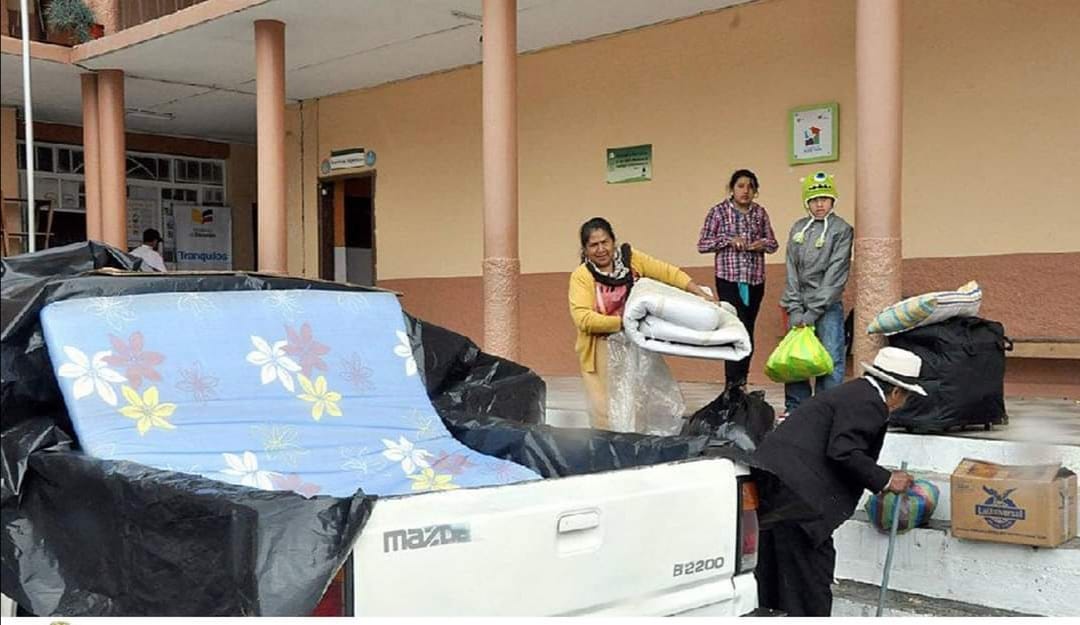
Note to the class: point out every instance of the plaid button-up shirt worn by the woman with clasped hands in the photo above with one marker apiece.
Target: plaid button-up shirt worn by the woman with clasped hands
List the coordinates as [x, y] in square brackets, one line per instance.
[724, 224]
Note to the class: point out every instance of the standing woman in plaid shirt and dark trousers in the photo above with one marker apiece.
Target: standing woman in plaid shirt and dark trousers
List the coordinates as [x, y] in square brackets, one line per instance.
[739, 233]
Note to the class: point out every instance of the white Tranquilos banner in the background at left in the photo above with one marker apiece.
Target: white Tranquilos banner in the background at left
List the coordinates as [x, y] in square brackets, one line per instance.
[204, 238]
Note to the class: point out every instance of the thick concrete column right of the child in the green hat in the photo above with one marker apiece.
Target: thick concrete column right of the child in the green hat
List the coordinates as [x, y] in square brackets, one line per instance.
[879, 146]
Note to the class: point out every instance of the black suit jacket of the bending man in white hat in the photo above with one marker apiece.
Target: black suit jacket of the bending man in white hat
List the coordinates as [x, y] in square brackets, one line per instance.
[825, 455]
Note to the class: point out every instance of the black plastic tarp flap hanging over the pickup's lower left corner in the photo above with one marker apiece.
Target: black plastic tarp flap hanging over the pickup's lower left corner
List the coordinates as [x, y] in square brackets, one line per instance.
[90, 537]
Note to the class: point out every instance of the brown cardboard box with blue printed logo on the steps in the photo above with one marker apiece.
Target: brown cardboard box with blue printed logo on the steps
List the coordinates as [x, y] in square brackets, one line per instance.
[1022, 505]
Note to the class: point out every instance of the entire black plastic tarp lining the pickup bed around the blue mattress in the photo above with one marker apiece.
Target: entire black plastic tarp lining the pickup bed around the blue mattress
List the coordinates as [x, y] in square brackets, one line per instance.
[89, 537]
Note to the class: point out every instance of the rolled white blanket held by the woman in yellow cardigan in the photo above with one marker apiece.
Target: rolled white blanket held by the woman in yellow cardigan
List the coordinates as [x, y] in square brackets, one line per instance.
[664, 319]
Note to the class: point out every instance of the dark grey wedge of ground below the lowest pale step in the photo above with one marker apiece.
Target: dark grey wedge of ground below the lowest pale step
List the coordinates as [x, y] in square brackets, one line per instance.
[856, 600]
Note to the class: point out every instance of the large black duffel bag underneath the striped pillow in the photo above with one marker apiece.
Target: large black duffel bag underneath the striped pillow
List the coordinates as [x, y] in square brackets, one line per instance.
[964, 371]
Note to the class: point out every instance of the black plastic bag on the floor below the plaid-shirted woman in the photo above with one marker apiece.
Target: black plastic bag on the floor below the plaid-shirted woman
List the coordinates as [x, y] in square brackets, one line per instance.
[736, 415]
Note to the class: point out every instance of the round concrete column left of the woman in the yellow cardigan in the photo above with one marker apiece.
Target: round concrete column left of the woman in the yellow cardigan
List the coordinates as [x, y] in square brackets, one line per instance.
[502, 265]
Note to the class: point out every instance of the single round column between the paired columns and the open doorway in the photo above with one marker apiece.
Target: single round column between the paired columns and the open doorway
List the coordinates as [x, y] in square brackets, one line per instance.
[271, 112]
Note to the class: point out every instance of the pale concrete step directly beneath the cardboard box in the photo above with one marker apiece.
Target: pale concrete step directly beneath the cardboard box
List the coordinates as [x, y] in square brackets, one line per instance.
[931, 563]
